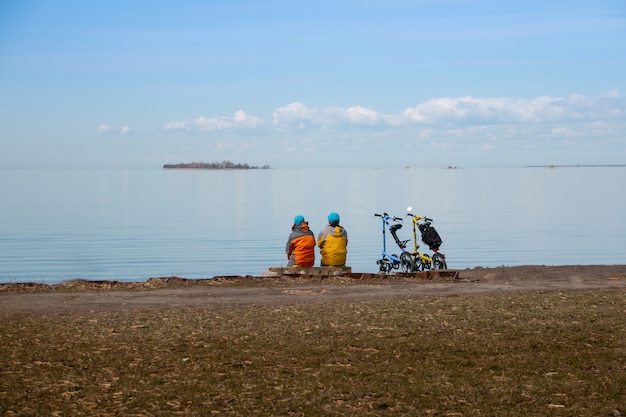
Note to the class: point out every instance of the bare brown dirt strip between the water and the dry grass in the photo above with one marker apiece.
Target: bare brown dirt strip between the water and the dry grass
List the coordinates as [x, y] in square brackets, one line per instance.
[175, 293]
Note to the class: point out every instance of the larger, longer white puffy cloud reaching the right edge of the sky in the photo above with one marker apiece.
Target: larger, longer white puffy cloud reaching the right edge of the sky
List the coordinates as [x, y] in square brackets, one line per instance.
[461, 111]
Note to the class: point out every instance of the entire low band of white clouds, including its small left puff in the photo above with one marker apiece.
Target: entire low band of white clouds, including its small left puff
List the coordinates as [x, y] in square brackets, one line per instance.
[461, 112]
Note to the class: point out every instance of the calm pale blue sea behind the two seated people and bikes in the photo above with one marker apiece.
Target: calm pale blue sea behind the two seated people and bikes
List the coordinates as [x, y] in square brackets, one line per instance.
[130, 225]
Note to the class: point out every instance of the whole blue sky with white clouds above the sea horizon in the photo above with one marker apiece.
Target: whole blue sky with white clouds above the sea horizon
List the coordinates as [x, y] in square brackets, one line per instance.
[393, 83]
